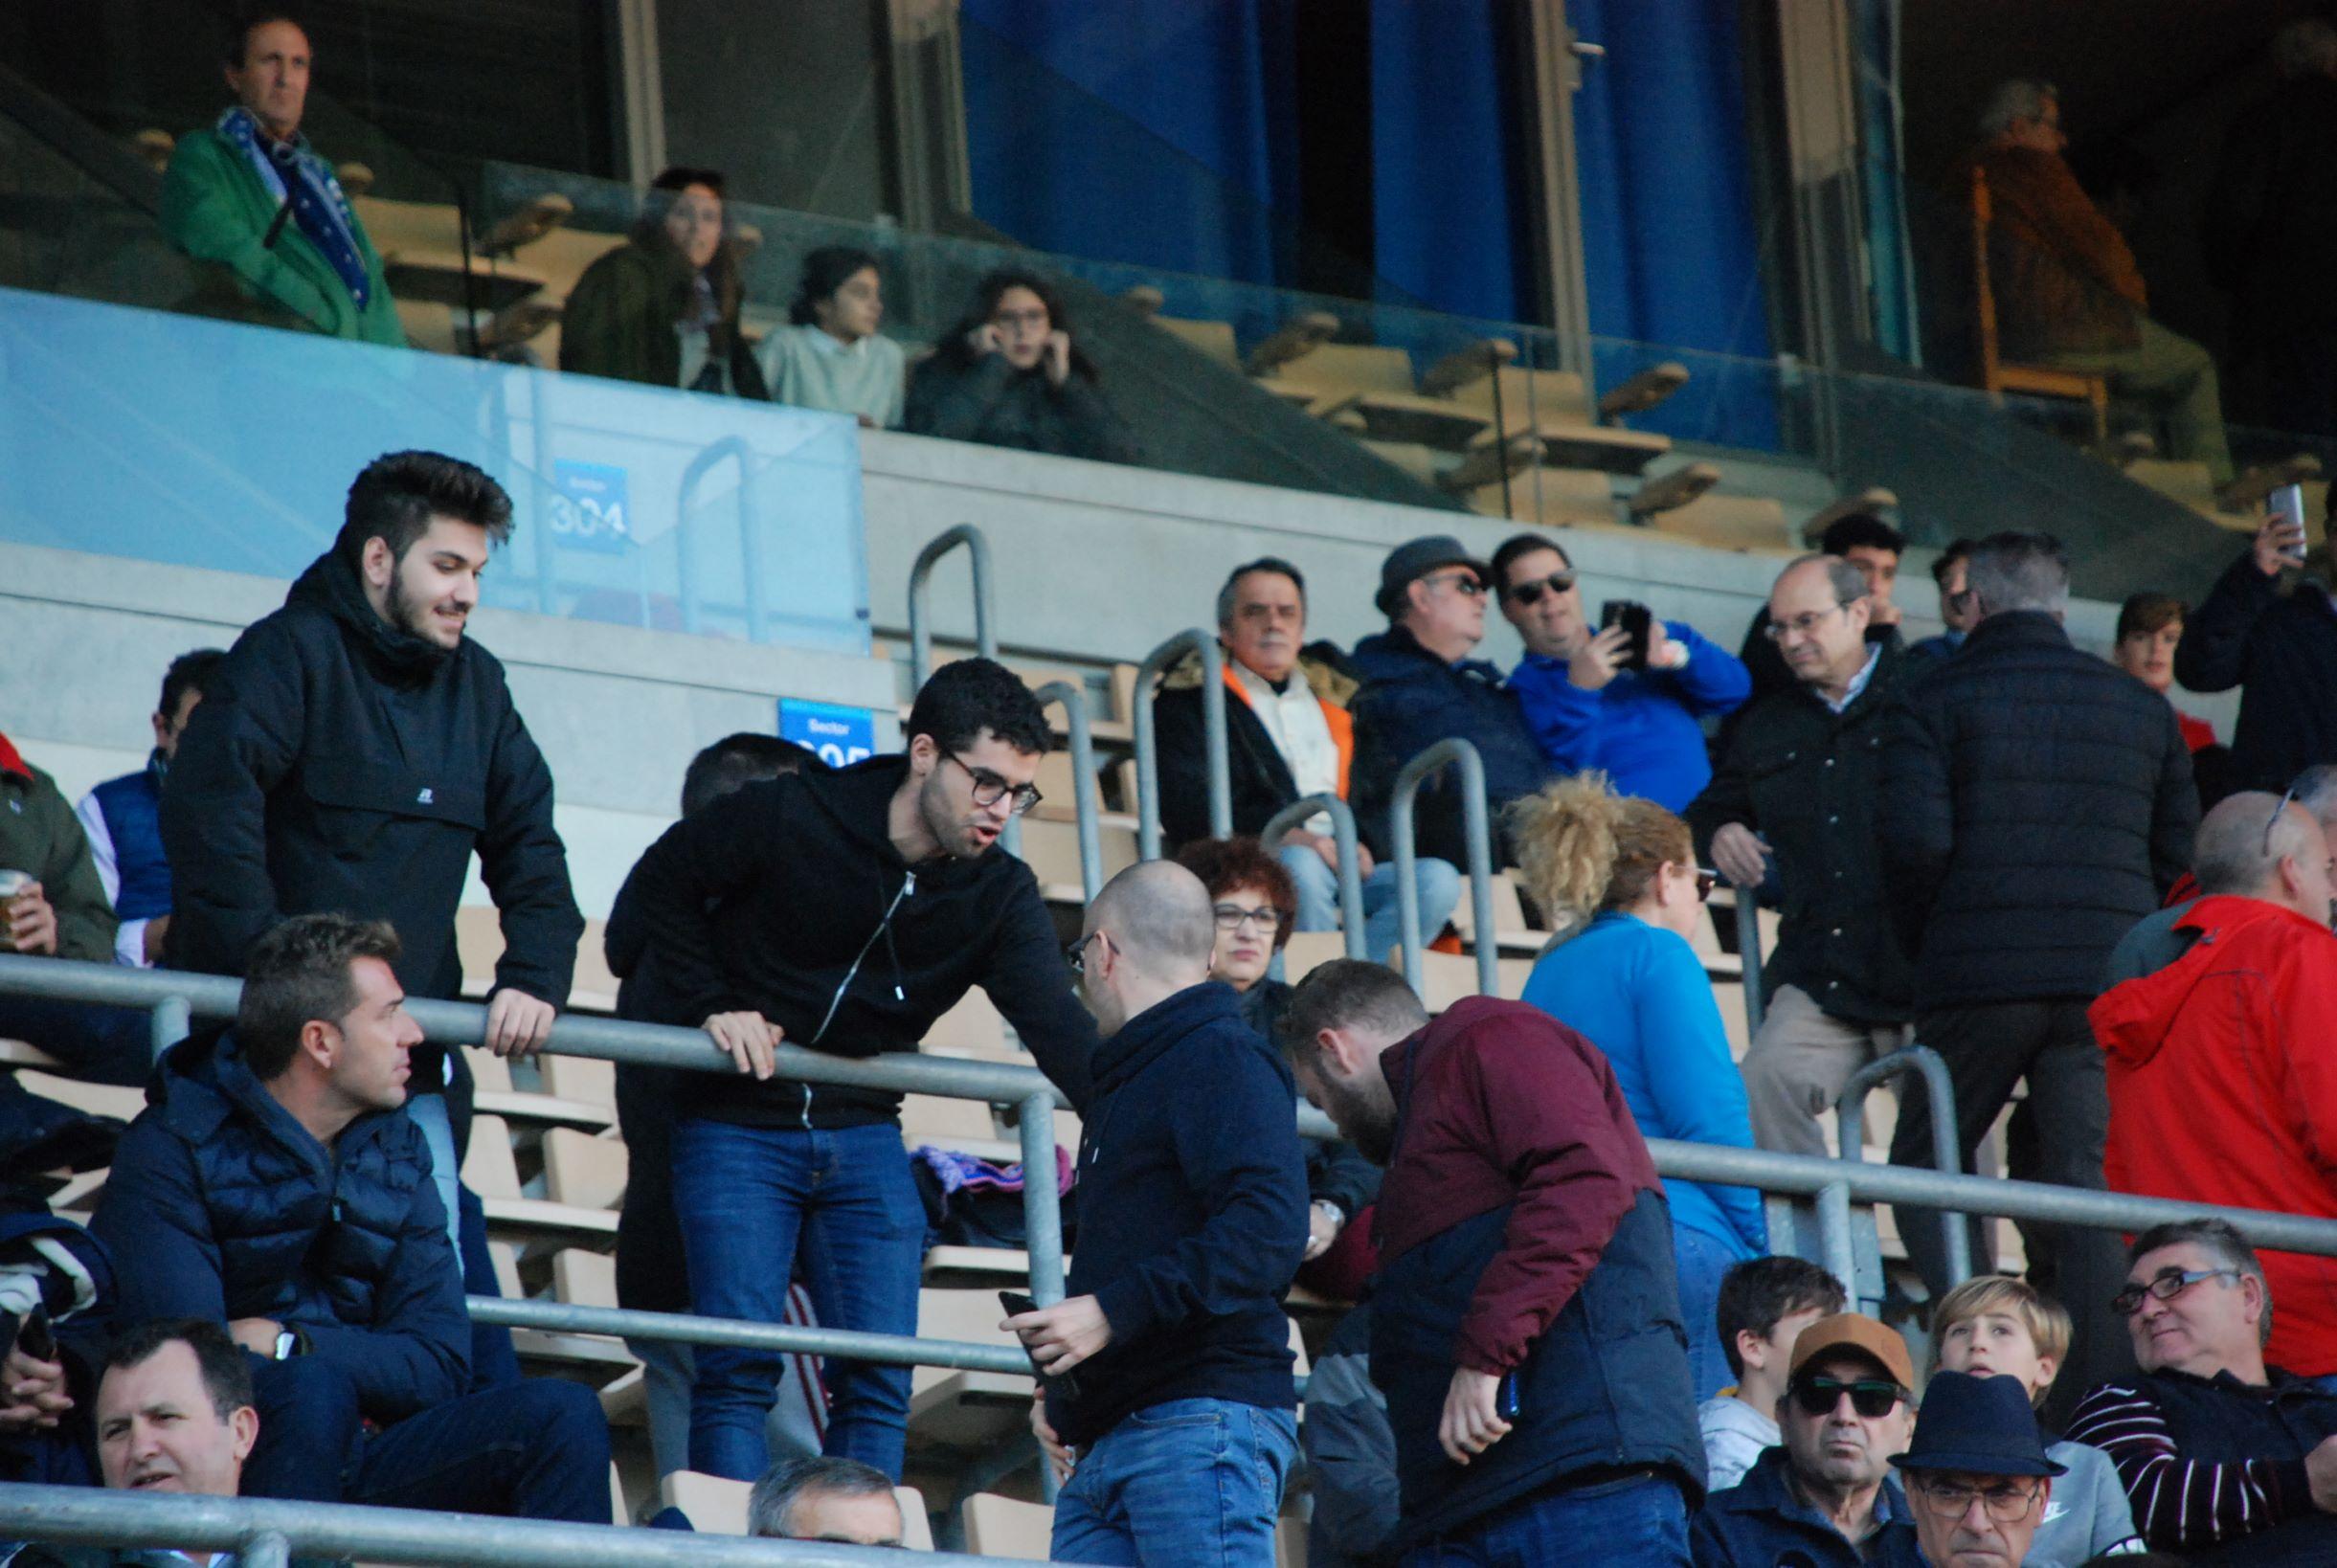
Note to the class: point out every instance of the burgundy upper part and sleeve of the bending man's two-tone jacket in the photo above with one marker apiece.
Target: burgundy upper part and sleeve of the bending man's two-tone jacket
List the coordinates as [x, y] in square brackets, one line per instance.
[1502, 1104]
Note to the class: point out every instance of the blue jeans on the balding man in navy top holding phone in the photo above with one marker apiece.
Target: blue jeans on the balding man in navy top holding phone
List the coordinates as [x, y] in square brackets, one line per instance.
[1188, 1483]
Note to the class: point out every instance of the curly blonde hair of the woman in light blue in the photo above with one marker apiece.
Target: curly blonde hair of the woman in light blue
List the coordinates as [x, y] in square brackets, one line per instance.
[1586, 849]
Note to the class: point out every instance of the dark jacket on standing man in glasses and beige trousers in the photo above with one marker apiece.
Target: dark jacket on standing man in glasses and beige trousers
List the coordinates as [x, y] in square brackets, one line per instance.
[1805, 779]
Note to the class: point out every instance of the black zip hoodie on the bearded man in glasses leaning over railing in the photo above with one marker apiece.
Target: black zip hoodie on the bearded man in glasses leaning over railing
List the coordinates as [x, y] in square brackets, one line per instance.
[789, 899]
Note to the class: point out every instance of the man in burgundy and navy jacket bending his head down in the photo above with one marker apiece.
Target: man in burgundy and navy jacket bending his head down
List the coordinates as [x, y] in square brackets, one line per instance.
[1527, 1324]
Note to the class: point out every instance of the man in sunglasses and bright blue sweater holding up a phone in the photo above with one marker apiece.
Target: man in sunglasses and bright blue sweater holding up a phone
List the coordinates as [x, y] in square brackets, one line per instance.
[1588, 707]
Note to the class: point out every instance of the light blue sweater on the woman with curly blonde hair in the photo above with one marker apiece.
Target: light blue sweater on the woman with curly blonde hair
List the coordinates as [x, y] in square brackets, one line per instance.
[1639, 994]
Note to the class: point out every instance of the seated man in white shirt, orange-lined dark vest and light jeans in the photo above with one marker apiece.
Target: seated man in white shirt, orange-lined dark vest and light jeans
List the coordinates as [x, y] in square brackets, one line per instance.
[1287, 735]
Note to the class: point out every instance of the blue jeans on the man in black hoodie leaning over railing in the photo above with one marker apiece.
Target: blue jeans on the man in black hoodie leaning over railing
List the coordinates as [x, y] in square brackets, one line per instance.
[747, 1198]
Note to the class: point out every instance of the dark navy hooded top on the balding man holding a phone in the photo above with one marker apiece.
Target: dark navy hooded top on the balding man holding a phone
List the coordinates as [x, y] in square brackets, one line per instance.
[1193, 1205]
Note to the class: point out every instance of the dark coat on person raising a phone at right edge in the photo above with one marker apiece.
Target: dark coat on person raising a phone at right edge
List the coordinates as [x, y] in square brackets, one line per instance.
[2282, 655]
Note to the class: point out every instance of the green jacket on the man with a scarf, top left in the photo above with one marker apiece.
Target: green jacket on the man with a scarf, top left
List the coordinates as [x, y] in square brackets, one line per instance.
[216, 209]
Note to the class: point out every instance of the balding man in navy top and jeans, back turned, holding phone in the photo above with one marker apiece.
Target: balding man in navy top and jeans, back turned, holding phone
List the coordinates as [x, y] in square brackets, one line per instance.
[1167, 1396]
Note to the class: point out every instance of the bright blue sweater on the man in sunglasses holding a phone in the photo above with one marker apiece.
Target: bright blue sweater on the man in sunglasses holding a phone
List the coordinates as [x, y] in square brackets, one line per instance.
[1642, 728]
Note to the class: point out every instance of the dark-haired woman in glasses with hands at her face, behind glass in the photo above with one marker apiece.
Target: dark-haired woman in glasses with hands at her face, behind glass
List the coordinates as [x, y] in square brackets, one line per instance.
[1008, 375]
